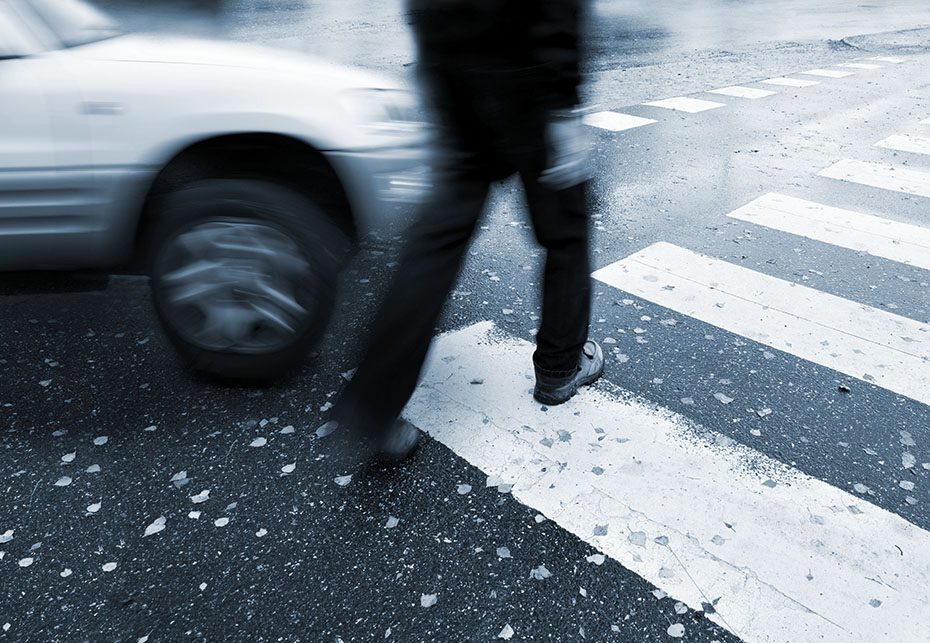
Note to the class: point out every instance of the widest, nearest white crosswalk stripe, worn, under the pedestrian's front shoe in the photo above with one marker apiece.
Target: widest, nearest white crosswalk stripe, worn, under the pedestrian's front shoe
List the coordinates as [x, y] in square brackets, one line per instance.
[700, 516]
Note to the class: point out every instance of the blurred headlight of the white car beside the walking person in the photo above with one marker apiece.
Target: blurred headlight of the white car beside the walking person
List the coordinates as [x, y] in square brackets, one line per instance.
[386, 111]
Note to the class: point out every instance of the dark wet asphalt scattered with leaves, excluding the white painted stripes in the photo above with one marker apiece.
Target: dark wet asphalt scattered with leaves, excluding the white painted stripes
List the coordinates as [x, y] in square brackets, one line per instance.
[142, 501]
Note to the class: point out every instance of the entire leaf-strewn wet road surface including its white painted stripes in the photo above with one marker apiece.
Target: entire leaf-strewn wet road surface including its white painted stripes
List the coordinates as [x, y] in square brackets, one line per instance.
[755, 465]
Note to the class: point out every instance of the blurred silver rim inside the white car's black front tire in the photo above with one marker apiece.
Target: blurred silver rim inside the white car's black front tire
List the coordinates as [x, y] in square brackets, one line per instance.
[232, 285]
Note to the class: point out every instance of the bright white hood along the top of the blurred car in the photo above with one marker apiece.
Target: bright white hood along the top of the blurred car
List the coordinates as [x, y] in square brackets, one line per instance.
[143, 48]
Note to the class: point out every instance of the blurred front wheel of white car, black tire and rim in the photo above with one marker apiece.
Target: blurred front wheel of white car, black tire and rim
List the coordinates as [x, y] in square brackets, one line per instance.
[243, 276]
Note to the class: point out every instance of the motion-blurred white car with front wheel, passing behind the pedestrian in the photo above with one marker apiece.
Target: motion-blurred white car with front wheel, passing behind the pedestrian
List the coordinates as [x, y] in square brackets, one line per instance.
[233, 175]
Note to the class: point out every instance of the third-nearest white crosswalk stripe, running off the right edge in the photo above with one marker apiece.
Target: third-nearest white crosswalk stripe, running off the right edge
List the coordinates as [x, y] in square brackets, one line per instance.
[878, 237]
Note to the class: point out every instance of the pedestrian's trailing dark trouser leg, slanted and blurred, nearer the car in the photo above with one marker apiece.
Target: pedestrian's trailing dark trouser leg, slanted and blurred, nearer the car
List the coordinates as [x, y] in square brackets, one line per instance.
[403, 328]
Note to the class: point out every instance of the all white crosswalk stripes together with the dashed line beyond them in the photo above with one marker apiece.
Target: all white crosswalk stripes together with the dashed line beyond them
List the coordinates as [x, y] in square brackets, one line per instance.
[777, 554]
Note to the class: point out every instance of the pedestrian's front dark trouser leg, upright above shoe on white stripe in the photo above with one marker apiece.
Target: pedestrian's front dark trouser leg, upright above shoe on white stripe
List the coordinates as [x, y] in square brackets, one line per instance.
[561, 225]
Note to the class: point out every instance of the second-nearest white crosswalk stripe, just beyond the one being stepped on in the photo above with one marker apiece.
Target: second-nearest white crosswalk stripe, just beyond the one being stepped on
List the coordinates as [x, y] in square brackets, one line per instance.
[867, 343]
